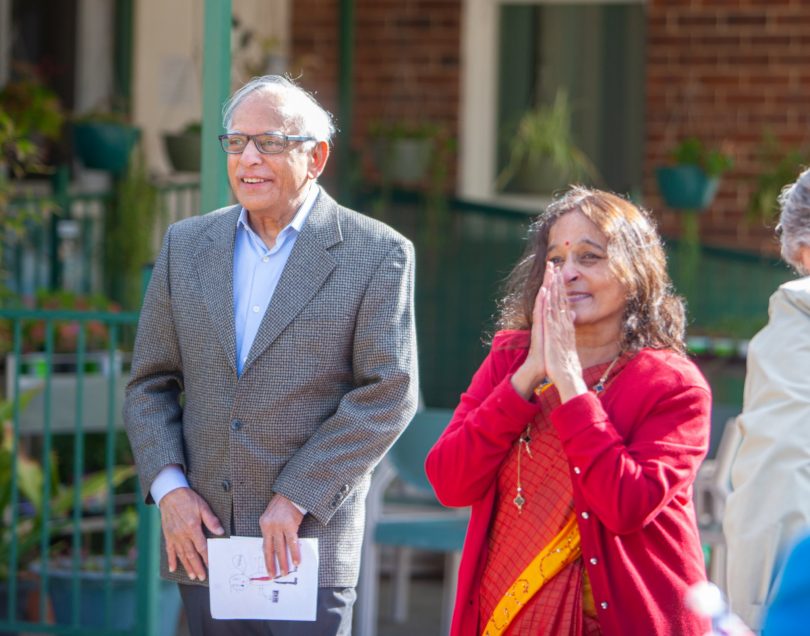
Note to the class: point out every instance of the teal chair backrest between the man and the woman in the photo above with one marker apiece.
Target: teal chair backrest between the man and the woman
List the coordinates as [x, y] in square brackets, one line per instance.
[409, 452]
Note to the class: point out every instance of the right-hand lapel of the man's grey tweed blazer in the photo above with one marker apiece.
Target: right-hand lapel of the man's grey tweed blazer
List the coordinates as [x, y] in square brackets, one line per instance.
[306, 270]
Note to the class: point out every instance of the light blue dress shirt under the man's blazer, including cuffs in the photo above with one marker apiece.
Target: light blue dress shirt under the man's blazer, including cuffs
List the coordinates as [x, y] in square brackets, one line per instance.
[256, 272]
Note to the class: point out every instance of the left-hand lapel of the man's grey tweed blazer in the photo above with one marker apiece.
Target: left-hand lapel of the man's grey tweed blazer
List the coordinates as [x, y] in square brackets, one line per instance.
[214, 264]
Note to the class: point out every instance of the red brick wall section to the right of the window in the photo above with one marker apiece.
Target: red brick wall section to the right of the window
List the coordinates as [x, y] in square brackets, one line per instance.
[726, 70]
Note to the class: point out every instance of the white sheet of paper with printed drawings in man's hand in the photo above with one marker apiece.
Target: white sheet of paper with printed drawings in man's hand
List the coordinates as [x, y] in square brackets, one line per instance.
[241, 588]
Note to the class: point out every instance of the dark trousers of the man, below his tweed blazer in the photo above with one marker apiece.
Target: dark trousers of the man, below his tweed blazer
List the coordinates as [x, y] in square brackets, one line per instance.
[334, 617]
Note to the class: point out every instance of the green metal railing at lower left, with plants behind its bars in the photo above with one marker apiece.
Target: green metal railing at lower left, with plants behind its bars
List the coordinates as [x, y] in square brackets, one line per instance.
[69, 501]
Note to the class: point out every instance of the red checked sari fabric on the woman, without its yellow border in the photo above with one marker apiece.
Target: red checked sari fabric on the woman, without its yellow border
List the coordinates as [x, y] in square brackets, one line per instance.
[516, 537]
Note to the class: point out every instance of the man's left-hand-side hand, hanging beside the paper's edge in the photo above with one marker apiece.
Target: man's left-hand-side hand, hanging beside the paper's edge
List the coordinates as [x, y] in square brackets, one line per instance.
[182, 513]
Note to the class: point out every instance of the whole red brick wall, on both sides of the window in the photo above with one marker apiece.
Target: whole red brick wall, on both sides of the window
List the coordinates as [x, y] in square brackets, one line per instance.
[724, 70]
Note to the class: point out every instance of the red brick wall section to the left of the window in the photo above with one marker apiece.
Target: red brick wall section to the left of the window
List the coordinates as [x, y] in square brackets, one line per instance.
[406, 64]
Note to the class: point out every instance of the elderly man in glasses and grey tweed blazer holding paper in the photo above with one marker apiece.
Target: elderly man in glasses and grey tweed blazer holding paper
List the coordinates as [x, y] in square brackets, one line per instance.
[275, 363]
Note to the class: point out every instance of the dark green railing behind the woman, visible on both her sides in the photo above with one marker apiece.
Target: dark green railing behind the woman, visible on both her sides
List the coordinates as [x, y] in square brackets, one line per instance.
[465, 250]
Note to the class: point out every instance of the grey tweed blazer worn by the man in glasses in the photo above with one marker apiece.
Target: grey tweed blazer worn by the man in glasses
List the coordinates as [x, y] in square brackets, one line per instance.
[329, 383]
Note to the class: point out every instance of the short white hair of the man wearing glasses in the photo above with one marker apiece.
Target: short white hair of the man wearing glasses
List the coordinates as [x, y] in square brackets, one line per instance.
[297, 107]
